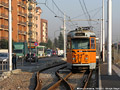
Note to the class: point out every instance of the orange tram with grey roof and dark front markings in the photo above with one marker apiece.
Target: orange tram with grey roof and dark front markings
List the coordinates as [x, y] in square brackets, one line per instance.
[81, 48]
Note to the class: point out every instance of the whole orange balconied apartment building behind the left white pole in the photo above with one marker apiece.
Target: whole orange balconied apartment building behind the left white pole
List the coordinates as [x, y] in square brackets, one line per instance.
[19, 14]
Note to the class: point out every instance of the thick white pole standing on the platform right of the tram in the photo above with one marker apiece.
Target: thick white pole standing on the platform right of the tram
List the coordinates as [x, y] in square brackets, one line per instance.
[109, 53]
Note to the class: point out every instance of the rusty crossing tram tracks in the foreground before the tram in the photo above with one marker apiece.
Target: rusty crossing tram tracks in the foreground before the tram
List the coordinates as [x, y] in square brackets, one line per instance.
[64, 79]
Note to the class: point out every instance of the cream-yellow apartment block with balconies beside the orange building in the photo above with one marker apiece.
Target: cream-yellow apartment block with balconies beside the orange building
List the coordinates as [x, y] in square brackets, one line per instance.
[32, 22]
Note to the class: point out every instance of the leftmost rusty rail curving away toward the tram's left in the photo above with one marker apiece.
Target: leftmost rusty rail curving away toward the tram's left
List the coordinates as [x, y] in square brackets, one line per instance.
[38, 80]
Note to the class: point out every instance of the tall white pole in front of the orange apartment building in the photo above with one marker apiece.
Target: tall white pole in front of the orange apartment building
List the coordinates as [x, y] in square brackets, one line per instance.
[10, 36]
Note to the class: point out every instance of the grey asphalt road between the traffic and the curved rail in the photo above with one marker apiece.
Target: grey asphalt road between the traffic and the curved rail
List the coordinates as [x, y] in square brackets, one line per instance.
[34, 66]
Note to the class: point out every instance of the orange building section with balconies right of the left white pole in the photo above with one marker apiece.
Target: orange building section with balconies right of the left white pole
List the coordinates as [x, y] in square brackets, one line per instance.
[19, 19]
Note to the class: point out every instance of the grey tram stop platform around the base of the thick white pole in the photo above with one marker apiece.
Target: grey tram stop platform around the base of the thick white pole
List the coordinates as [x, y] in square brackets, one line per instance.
[109, 82]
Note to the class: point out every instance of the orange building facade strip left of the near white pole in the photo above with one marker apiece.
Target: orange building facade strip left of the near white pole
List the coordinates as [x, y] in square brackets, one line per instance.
[4, 19]
